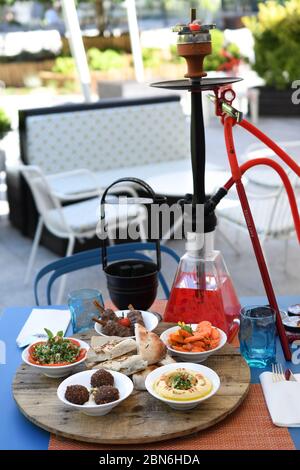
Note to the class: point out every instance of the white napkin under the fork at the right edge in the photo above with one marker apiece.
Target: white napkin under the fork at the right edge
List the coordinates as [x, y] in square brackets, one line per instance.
[283, 400]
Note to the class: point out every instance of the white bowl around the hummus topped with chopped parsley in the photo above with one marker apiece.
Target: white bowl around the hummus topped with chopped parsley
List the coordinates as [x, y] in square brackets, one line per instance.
[182, 405]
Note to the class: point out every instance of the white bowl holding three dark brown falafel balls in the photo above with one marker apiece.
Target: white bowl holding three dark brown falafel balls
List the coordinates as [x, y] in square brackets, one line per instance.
[122, 383]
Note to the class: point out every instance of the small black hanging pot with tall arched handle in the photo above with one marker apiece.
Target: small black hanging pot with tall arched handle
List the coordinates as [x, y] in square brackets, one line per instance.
[132, 281]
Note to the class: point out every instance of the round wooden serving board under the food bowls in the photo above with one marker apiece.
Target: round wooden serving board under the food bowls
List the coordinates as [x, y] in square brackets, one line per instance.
[140, 418]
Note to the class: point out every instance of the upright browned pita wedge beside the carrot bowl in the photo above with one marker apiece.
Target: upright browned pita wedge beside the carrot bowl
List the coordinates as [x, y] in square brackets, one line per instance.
[149, 345]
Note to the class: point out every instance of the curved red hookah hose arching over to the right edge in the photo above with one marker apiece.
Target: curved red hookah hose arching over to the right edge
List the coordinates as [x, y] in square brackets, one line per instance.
[285, 180]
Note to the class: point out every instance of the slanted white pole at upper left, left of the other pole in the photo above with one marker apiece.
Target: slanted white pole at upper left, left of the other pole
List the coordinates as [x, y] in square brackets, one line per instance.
[77, 47]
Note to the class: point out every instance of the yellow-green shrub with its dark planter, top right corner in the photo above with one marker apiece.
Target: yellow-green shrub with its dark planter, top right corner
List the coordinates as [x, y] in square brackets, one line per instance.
[276, 32]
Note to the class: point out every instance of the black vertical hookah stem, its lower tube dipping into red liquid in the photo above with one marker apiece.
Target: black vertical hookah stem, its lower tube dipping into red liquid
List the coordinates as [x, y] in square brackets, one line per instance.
[198, 167]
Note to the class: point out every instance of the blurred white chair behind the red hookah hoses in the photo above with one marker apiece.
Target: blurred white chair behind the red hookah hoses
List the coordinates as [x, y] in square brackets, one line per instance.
[271, 212]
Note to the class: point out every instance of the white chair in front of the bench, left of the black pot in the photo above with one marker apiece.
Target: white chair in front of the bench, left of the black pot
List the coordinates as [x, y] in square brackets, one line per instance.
[78, 220]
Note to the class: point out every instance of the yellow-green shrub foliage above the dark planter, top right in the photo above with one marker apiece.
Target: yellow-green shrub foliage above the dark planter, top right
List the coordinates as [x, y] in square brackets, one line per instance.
[276, 32]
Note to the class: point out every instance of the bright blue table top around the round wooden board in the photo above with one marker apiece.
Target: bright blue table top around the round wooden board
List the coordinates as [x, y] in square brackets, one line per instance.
[16, 432]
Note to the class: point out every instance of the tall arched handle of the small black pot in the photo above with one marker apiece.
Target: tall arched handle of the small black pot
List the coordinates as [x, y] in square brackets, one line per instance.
[151, 193]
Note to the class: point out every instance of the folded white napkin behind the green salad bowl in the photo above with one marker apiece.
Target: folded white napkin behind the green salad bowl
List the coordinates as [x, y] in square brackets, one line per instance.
[53, 319]
